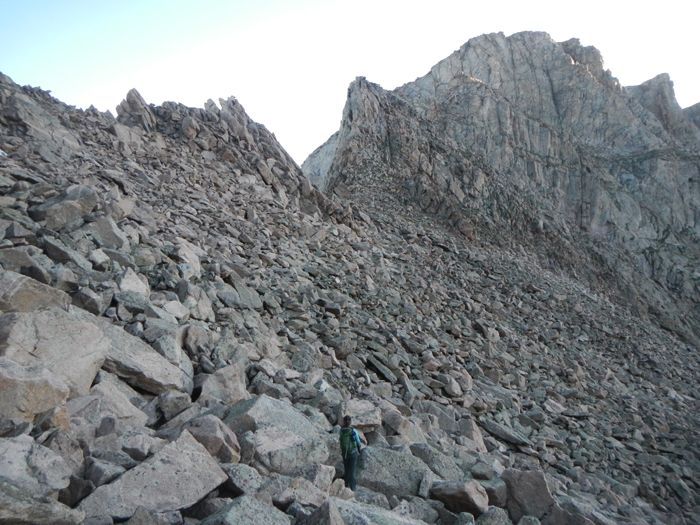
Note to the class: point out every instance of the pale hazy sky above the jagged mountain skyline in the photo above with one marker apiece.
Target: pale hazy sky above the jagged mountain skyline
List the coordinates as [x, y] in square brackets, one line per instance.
[289, 62]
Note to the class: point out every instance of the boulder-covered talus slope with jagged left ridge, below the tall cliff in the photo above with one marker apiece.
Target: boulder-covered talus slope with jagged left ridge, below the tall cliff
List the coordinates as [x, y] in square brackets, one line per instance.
[185, 318]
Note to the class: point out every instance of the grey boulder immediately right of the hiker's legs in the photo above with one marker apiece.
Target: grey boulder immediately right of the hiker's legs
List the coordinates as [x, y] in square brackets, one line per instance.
[390, 472]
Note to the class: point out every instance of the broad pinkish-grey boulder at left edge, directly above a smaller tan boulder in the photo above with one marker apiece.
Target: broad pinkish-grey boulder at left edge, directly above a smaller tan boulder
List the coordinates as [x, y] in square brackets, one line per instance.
[73, 349]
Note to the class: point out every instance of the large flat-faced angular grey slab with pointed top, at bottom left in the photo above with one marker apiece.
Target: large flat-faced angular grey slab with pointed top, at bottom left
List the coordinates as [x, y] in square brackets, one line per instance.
[177, 477]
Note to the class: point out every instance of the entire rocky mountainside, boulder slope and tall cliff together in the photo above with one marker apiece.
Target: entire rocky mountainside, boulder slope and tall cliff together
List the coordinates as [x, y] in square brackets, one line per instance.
[491, 290]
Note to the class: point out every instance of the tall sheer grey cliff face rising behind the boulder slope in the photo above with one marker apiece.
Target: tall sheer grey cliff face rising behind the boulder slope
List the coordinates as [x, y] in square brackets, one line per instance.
[529, 137]
